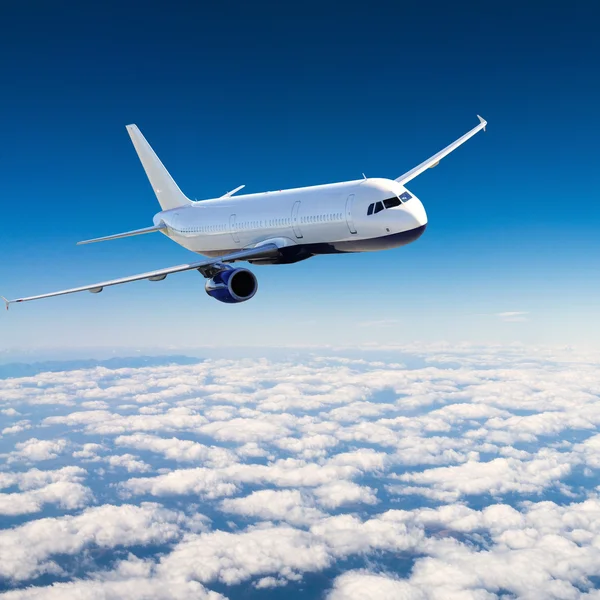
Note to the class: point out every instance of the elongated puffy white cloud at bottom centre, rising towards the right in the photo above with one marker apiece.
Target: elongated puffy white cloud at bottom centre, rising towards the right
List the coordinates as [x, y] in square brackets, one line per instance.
[283, 550]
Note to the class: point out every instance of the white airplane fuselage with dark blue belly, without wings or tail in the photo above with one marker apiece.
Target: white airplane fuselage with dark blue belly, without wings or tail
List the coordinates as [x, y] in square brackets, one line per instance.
[303, 222]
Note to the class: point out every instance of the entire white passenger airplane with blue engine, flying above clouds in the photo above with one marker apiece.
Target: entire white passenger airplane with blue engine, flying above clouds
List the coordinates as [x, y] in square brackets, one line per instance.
[270, 228]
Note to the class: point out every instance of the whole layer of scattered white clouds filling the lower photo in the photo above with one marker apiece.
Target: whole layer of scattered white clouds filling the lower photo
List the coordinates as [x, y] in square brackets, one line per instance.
[300, 462]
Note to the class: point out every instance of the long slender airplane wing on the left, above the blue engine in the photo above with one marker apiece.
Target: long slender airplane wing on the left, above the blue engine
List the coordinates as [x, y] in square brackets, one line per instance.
[259, 252]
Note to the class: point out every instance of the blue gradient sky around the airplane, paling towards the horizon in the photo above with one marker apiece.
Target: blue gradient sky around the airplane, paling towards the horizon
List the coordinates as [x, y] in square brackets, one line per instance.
[274, 95]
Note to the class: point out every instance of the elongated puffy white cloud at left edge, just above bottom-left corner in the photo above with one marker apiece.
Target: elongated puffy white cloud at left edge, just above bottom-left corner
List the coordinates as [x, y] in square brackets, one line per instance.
[26, 551]
